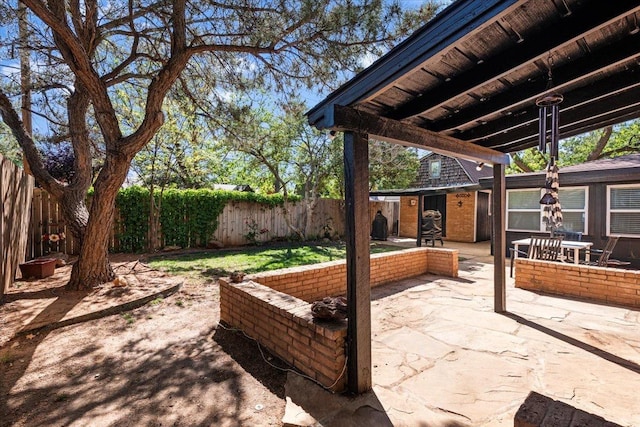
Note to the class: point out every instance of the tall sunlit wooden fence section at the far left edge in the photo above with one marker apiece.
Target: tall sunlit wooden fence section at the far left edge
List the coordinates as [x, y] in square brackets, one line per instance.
[15, 191]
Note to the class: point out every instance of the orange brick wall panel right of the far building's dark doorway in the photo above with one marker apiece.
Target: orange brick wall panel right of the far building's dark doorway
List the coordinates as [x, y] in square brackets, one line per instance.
[461, 217]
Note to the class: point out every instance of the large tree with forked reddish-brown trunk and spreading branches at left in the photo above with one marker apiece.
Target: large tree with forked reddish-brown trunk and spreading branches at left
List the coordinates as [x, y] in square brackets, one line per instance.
[84, 53]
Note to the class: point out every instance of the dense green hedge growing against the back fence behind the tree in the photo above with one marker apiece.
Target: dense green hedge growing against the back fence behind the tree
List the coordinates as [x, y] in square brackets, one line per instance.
[188, 218]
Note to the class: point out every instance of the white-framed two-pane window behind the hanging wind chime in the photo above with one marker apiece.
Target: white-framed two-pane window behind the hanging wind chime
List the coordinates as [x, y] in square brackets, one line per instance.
[524, 211]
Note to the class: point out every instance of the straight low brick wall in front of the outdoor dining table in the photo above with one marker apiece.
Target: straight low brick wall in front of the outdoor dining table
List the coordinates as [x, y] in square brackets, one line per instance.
[611, 285]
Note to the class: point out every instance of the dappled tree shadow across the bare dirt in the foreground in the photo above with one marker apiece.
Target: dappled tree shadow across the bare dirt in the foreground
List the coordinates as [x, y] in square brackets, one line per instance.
[140, 385]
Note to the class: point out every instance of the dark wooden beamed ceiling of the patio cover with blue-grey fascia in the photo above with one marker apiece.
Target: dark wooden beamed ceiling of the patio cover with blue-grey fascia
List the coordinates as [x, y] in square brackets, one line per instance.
[475, 71]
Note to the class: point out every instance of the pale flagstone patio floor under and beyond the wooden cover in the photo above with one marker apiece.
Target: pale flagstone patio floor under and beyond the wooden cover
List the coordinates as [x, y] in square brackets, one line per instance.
[442, 357]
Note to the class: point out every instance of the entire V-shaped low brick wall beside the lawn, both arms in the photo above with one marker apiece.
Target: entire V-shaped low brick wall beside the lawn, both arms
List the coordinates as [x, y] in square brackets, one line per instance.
[277, 310]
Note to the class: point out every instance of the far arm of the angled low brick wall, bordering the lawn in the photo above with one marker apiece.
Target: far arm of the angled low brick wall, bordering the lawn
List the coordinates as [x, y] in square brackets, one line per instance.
[314, 282]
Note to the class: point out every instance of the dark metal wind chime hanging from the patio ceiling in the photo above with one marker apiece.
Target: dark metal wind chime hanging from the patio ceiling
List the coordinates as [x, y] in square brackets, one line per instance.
[548, 112]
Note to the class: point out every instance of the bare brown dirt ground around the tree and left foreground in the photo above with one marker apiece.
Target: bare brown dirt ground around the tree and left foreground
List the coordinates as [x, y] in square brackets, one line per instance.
[167, 363]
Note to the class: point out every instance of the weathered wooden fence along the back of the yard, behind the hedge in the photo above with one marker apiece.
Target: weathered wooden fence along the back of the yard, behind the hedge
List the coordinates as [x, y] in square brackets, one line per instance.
[237, 220]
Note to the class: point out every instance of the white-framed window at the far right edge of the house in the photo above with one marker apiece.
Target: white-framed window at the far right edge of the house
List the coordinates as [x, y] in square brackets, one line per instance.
[623, 210]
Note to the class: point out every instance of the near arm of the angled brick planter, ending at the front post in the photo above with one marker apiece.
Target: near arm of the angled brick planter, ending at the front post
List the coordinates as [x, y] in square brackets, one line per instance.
[284, 325]
